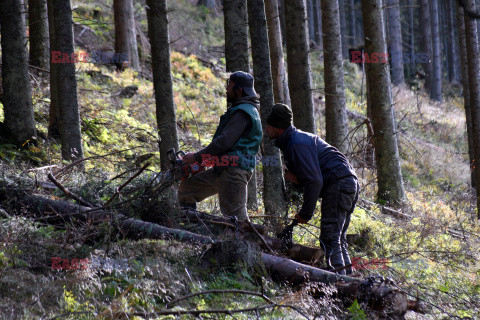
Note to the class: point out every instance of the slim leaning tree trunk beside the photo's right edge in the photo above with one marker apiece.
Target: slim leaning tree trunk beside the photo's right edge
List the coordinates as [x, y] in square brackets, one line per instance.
[466, 91]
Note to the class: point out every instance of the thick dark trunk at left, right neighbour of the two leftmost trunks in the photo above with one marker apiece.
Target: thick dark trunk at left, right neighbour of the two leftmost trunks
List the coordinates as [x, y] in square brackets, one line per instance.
[63, 79]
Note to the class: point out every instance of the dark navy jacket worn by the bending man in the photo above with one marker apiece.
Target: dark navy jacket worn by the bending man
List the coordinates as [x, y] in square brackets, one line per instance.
[315, 163]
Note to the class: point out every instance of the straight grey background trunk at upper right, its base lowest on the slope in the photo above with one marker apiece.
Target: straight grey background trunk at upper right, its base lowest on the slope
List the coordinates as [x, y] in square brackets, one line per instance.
[436, 79]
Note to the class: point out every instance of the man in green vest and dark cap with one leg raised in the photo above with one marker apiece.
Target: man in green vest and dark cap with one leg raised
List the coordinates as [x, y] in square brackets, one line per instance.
[232, 152]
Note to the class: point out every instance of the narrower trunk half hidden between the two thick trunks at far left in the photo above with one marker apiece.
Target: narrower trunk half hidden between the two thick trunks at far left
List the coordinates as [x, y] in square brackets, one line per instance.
[38, 30]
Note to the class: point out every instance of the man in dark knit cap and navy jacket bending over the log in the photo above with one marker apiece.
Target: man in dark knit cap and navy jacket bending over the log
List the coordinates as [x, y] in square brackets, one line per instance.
[323, 172]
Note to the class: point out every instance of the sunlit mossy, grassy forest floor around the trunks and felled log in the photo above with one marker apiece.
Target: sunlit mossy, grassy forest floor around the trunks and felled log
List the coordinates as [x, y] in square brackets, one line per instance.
[433, 255]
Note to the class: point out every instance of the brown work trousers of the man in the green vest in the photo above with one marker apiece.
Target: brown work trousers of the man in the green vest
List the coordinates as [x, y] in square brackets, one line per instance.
[230, 183]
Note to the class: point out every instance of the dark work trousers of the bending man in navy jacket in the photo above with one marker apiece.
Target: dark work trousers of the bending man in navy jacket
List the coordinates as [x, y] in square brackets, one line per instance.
[338, 202]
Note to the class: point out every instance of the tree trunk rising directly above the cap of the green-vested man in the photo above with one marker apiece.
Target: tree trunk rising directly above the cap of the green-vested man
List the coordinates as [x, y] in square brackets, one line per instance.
[236, 35]
